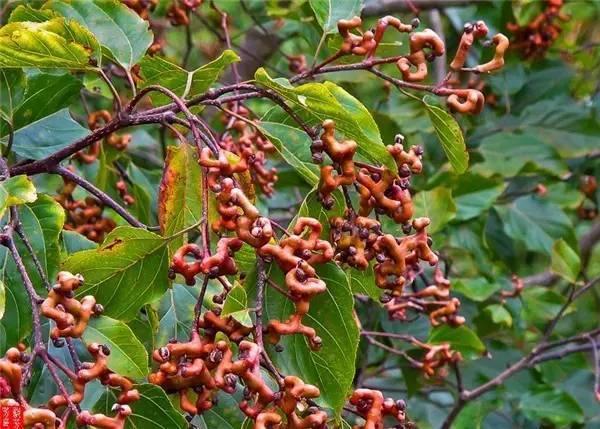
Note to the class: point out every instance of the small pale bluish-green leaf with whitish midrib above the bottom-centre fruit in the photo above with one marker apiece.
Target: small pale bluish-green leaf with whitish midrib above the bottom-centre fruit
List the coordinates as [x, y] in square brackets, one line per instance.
[176, 313]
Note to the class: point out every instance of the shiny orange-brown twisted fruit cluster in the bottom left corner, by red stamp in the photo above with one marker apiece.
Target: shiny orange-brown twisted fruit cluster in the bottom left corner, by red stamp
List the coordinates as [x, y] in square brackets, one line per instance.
[71, 318]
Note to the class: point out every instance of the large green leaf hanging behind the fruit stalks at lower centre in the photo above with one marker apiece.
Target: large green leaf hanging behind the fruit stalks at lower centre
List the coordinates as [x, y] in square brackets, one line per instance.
[331, 369]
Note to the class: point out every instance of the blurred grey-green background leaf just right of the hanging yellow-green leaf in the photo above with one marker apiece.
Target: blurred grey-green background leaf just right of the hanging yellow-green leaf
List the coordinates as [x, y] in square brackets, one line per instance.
[526, 152]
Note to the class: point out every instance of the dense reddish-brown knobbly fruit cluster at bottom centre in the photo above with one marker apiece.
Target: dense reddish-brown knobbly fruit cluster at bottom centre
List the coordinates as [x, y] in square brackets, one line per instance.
[205, 365]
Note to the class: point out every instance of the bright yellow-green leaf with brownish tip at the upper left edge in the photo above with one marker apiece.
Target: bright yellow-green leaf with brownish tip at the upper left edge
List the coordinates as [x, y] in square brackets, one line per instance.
[56, 43]
